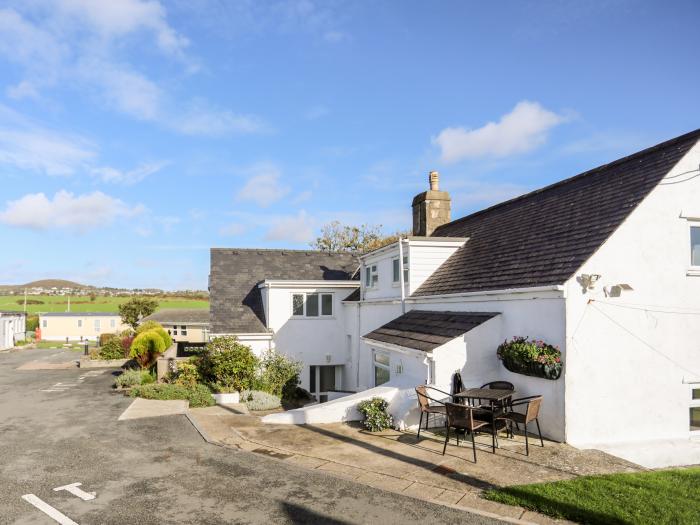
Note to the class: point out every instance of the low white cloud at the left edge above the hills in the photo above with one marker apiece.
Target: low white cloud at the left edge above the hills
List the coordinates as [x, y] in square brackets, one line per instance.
[65, 210]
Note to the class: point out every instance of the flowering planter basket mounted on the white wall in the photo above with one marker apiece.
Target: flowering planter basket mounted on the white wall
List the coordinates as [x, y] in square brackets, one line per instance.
[522, 355]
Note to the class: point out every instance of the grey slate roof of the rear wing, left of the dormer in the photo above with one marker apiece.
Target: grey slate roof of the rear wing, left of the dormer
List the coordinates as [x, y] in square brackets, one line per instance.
[235, 301]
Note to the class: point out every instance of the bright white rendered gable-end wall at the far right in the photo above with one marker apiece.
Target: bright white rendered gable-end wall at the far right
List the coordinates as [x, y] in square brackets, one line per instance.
[632, 359]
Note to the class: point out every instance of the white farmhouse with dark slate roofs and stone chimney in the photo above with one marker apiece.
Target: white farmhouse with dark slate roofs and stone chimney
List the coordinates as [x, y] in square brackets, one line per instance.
[605, 265]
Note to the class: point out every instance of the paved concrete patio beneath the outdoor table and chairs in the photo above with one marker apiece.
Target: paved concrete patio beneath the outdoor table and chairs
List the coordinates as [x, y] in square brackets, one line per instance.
[397, 462]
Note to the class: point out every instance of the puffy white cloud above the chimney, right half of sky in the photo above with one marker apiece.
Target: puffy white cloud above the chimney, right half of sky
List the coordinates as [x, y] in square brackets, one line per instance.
[520, 131]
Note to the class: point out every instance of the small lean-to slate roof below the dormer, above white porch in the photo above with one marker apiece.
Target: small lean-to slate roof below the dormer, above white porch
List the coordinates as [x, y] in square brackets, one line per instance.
[426, 330]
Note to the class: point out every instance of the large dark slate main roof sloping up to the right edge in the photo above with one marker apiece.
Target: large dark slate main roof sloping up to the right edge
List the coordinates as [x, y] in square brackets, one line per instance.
[544, 237]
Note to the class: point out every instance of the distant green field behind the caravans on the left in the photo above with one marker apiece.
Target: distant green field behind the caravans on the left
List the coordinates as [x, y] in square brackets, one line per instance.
[58, 303]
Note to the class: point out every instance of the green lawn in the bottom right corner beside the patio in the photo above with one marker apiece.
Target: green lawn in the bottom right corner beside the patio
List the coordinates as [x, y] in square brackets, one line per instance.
[667, 496]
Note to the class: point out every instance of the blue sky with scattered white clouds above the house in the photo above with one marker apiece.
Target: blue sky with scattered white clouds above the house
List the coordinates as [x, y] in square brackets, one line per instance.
[136, 134]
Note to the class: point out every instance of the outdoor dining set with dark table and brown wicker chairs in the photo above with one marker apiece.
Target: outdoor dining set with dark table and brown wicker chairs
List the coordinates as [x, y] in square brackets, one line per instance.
[488, 409]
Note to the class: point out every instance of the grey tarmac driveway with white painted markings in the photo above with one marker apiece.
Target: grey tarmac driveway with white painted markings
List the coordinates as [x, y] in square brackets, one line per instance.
[59, 427]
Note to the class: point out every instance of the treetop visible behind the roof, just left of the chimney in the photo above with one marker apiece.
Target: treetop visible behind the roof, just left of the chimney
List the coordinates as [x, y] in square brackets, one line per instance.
[336, 237]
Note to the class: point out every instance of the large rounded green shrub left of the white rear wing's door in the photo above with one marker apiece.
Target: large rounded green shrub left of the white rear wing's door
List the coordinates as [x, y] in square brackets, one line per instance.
[228, 363]
